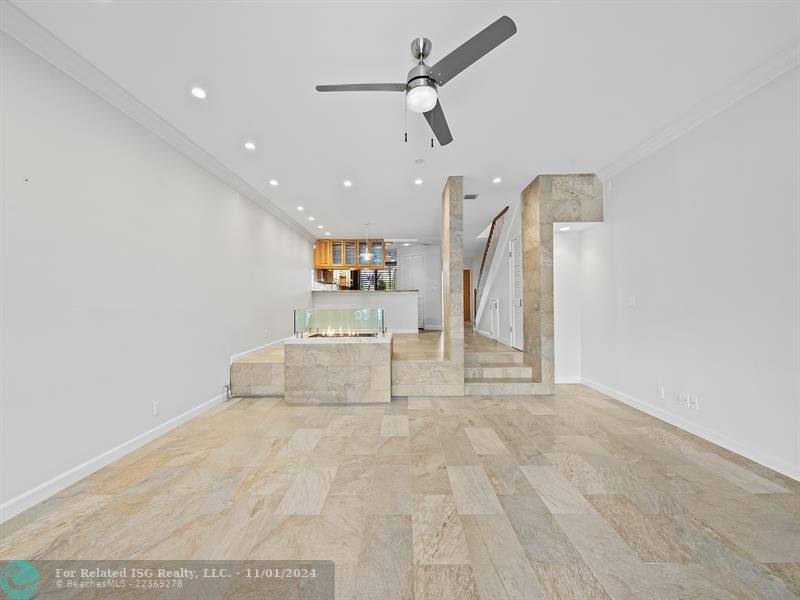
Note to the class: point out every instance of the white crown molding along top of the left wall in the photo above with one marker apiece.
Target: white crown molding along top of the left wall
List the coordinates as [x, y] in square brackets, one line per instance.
[27, 31]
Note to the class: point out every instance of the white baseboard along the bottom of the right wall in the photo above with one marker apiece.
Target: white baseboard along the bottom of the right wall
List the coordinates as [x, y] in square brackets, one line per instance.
[707, 434]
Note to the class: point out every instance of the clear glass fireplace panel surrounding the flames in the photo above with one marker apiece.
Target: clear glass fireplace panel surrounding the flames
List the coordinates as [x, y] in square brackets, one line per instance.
[338, 322]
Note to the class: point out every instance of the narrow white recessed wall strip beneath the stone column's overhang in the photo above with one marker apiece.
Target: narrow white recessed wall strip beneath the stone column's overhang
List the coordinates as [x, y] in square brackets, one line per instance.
[567, 304]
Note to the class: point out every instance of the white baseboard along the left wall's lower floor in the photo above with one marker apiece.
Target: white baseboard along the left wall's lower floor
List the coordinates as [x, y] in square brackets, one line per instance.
[43, 491]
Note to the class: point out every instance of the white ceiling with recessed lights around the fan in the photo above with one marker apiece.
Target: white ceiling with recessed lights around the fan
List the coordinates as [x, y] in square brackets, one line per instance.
[578, 86]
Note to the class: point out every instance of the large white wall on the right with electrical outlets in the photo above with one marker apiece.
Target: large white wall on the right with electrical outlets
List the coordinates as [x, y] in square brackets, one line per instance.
[704, 238]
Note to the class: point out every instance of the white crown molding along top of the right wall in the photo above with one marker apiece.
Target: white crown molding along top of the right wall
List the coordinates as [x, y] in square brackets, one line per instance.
[754, 79]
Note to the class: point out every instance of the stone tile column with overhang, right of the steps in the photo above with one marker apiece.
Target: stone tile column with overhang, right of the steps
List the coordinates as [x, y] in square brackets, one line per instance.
[549, 199]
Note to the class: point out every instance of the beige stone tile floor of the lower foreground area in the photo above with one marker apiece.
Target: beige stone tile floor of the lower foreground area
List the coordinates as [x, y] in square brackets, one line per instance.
[572, 496]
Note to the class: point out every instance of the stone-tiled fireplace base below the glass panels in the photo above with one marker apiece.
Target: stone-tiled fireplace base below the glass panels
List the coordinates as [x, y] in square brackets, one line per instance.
[331, 371]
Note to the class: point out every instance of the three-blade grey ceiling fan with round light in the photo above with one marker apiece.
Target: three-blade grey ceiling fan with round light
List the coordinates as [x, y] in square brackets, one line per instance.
[423, 80]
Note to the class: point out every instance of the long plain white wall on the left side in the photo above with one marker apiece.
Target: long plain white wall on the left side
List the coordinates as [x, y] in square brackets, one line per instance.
[130, 275]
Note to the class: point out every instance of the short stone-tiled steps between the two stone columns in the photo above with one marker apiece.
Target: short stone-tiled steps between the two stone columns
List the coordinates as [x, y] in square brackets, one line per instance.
[497, 374]
